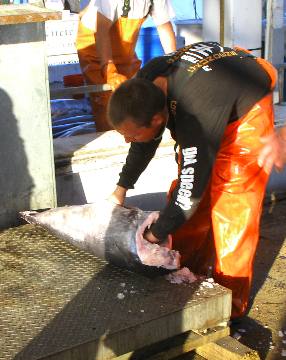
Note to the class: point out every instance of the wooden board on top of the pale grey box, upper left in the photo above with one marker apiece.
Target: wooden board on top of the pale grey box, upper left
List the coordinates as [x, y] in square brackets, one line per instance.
[26, 13]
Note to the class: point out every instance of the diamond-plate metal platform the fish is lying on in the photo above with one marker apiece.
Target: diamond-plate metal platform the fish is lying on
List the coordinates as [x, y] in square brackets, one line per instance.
[58, 302]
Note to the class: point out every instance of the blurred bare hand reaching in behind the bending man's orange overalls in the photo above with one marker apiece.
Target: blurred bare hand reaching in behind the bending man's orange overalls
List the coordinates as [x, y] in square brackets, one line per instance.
[274, 151]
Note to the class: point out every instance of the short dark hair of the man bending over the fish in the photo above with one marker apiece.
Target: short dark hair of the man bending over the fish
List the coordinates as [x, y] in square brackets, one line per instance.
[135, 99]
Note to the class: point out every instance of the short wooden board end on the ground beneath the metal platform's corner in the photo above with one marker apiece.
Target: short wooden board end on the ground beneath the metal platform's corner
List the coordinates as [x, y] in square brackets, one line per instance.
[227, 348]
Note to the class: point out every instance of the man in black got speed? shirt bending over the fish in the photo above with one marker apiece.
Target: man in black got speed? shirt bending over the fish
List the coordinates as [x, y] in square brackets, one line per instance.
[217, 103]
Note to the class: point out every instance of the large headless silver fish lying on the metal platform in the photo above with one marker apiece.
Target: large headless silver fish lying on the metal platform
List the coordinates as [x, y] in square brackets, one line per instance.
[111, 232]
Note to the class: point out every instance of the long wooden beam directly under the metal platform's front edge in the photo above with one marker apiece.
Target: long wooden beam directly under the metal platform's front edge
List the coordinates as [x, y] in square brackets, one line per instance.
[177, 345]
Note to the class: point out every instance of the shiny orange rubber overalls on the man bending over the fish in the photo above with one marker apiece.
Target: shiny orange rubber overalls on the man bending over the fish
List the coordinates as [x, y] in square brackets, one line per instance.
[224, 231]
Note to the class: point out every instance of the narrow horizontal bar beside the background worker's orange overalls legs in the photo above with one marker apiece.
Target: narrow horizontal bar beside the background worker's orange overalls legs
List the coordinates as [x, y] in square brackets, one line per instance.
[68, 92]
